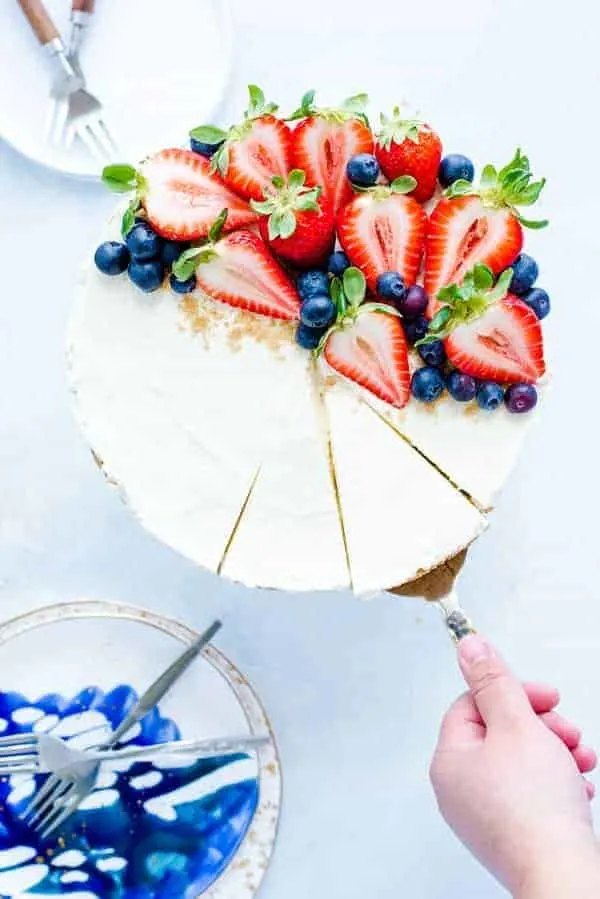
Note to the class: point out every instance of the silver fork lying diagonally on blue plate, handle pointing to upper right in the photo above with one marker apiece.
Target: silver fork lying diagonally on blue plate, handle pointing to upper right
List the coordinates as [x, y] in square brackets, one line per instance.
[47, 809]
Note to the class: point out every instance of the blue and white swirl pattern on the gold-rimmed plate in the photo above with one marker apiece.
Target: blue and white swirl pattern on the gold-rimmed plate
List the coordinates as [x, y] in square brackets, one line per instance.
[148, 832]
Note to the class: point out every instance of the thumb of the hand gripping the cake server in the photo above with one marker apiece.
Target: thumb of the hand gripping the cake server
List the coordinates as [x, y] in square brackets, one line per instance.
[498, 694]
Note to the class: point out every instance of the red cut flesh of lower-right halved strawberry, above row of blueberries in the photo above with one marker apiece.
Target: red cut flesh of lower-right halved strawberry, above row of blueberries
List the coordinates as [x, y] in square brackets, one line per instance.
[504, 345]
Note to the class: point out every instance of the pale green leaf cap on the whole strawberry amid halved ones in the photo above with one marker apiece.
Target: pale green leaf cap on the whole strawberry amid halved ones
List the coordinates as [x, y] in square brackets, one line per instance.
[284, 200]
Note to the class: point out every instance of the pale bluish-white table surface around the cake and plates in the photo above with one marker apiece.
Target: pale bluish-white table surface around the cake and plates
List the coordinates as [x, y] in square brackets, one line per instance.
[356, 691]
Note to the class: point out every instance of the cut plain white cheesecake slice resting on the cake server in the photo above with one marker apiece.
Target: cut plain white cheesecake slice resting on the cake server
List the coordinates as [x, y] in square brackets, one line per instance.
[401, 516]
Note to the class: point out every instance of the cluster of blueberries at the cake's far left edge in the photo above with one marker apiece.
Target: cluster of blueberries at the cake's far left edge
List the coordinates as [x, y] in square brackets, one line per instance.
[146, 257]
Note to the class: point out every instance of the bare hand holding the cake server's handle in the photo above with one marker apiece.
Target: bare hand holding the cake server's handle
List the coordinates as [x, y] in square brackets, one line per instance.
[508, 775]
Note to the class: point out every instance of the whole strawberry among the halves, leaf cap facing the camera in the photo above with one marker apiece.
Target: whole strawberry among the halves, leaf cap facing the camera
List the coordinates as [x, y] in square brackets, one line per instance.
[296, 221]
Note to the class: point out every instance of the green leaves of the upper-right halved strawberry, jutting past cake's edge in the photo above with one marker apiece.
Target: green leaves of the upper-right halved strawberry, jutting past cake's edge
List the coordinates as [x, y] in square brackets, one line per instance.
[510, 187]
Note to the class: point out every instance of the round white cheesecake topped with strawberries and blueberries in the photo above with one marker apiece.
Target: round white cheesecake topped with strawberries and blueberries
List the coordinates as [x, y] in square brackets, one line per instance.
[309, 348]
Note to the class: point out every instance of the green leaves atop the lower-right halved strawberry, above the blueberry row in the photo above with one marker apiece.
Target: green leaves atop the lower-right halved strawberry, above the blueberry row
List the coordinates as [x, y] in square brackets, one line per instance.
[466, 302]
